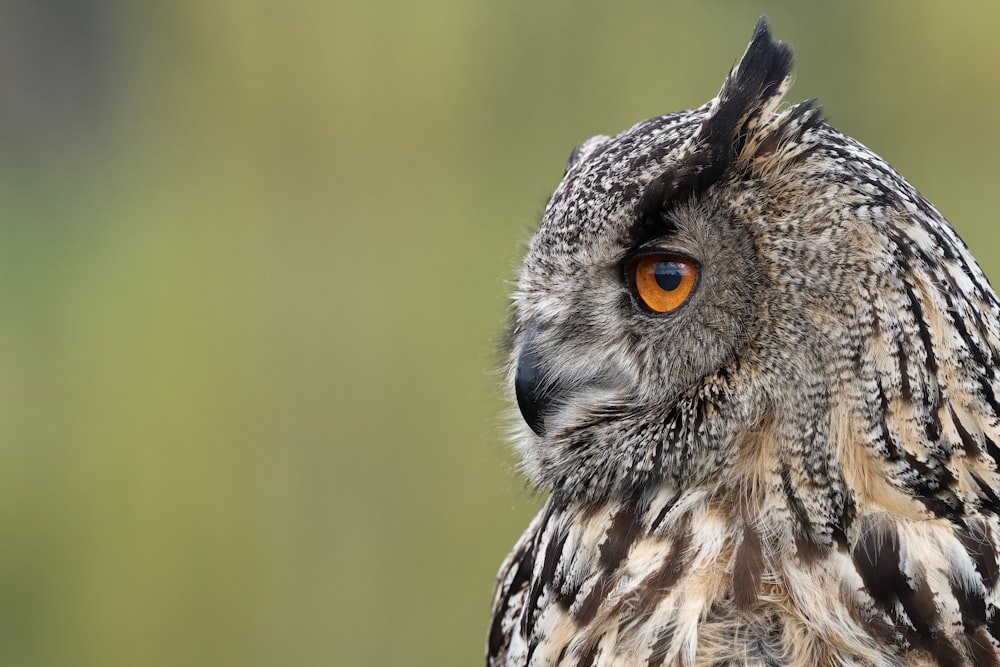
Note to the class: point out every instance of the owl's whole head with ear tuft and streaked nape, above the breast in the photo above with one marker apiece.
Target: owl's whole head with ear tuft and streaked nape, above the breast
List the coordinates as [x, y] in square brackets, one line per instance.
[740, 298]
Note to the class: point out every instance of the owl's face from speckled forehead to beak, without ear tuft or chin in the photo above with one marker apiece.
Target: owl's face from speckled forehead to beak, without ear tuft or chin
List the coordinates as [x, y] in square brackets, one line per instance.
[619, 309]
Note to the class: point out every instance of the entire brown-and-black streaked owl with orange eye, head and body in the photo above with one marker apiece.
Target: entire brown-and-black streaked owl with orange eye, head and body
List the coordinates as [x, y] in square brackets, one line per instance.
[757, 380]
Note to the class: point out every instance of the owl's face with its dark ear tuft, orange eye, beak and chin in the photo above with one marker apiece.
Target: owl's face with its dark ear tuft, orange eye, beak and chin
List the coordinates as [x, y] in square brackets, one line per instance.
[646, 286]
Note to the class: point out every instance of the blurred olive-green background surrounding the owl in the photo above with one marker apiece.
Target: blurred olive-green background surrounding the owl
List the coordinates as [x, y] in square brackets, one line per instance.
[254, 259]
